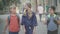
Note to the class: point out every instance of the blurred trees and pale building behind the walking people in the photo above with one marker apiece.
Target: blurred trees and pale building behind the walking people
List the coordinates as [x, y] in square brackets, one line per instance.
[4, 4]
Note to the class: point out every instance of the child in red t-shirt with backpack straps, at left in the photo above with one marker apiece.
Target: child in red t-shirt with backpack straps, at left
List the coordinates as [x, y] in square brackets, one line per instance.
[12, 21]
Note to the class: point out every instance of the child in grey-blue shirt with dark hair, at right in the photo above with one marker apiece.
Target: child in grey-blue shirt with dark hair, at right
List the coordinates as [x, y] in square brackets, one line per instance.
[52, 22]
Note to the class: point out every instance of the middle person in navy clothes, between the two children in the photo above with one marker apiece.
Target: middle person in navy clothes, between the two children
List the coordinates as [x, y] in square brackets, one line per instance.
[29, 19]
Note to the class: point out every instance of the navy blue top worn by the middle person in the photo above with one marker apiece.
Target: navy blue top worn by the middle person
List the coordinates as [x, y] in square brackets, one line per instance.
[29, 22]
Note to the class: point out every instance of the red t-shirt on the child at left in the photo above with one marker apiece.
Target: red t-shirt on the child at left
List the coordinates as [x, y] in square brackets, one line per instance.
[14, 24]
